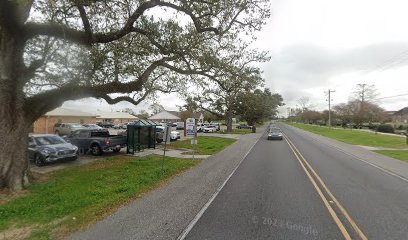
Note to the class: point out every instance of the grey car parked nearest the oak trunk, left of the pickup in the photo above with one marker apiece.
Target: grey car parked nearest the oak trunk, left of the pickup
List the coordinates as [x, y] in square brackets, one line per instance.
[45, 148]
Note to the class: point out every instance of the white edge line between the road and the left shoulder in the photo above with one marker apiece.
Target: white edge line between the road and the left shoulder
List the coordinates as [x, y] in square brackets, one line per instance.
[204, 208]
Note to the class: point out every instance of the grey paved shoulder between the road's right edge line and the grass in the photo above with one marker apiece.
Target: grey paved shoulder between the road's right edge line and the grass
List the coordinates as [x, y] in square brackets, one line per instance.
[386, 164]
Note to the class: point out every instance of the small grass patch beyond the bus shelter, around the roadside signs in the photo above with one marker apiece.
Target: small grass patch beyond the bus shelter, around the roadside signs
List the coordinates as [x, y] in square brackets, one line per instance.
[205, 146]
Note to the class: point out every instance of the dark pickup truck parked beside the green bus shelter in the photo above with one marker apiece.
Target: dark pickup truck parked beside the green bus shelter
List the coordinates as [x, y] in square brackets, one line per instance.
[97, 141]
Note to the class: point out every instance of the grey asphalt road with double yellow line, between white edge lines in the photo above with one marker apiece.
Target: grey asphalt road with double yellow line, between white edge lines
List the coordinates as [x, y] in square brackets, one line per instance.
[308, 190]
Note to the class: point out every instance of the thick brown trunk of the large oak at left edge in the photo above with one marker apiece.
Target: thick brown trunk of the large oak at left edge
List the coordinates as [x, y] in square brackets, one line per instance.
[14, 123]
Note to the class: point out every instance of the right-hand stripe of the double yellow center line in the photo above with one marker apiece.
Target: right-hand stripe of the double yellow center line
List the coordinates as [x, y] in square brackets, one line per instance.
[344, 212]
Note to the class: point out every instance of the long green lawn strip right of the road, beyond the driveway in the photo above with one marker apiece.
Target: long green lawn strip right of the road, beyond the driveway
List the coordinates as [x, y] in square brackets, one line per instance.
[355, 137]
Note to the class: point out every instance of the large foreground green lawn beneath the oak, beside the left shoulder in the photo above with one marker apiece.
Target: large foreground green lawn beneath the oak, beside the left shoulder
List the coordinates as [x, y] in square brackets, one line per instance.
[76, 197]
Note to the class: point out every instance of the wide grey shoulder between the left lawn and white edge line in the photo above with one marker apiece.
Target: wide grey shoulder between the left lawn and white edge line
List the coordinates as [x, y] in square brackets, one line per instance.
[165, 212]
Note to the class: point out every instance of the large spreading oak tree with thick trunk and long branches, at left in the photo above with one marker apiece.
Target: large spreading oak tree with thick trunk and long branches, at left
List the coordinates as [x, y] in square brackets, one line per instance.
[54, 51]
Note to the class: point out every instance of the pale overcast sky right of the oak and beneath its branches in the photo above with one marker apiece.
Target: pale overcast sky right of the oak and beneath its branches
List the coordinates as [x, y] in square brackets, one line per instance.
[317, 45]
